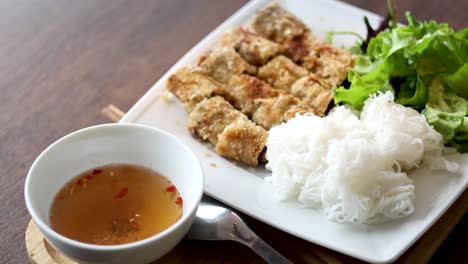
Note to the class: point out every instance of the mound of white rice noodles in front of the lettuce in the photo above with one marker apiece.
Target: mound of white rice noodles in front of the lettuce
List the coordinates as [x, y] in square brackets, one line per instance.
[354, 168]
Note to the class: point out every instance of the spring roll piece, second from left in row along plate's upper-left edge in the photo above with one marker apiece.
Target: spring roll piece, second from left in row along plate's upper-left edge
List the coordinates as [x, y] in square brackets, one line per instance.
[222, 64]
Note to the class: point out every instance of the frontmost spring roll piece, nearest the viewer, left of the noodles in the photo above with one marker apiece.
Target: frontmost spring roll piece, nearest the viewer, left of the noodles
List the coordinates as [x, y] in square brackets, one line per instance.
[242, 141]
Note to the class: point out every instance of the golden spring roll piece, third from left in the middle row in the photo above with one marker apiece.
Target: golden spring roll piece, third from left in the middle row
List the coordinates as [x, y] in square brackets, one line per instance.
[281, 72]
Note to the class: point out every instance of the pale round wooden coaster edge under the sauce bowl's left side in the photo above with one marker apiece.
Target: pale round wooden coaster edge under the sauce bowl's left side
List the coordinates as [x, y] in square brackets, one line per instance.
[40, 251]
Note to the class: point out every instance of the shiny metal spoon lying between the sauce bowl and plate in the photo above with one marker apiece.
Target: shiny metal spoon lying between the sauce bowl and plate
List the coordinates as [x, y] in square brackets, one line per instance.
[216, 222]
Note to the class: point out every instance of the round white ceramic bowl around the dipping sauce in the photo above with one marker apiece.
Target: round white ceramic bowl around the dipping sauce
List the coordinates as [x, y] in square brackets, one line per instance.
[114, 143]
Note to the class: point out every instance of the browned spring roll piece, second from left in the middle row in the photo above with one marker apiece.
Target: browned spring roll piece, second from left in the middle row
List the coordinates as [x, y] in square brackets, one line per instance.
[243, 90]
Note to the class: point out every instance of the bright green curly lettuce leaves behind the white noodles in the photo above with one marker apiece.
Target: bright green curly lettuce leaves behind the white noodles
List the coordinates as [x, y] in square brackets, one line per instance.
[425, 64]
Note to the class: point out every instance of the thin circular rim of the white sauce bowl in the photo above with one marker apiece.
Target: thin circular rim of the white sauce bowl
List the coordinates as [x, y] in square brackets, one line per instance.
[86, 246]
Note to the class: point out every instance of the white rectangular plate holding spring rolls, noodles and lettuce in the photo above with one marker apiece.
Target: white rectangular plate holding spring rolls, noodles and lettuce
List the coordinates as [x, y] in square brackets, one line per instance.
[244, 188]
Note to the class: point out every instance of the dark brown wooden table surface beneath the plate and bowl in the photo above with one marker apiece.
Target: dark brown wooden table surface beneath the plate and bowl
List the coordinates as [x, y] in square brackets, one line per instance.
[62, 61]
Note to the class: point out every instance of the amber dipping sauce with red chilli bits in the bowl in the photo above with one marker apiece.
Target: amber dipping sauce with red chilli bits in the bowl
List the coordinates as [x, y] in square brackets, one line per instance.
[115, 204]
